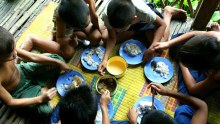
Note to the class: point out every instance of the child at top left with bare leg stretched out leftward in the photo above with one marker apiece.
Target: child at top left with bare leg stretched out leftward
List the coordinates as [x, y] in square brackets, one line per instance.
[71, 20]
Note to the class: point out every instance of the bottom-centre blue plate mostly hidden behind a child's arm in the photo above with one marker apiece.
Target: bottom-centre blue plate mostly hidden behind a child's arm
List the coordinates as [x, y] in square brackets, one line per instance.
[110, 110]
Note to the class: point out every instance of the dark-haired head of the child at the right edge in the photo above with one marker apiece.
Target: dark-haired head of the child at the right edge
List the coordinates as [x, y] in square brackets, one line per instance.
[201, 53]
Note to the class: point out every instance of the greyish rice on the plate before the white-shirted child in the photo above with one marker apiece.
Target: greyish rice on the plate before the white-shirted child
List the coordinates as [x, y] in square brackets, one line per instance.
[132, 49]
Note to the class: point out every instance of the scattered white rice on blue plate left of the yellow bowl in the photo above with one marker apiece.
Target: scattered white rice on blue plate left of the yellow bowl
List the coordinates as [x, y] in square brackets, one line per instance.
[89, 59]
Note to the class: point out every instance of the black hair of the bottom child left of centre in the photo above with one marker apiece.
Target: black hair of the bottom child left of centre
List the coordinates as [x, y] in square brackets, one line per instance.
[78, 105]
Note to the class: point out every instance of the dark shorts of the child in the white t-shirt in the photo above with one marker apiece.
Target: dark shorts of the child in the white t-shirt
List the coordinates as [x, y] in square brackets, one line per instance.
[143, 26]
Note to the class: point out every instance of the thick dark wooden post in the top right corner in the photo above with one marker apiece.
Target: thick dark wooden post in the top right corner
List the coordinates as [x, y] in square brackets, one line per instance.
[204, 14]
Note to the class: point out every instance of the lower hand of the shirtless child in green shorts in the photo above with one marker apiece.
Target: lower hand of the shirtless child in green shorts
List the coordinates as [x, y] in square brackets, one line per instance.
[47, 96]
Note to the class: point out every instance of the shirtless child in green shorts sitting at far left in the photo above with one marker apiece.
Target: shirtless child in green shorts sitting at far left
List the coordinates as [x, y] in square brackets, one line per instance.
[23, 85]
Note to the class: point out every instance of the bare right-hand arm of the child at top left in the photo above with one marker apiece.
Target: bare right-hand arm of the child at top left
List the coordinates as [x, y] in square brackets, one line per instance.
[94, 16]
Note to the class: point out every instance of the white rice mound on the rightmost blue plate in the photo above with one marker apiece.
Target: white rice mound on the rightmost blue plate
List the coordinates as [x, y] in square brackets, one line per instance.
[162, 69]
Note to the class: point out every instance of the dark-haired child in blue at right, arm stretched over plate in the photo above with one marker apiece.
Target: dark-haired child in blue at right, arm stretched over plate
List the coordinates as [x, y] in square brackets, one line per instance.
[201, 52]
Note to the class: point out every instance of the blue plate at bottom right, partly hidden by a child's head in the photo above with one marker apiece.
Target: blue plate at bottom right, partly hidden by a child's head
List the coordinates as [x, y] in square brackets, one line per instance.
[158, 105]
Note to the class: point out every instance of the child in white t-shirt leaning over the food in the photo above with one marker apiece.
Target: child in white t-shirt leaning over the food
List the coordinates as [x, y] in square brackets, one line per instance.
[124, 18]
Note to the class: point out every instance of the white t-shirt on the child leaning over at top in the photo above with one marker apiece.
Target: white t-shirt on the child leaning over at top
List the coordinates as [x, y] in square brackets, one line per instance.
[143, 12]
